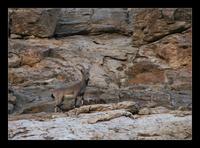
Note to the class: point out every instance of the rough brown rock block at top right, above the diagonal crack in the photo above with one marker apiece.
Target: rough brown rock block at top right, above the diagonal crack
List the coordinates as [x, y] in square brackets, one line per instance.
[151, 25]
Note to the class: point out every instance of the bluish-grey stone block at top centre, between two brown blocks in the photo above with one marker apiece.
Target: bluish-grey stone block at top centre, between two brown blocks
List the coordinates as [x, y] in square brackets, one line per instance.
[93, 20]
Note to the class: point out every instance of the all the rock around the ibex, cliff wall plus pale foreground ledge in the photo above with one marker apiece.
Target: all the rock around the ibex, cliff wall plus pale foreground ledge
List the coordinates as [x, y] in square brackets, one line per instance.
[140, 82]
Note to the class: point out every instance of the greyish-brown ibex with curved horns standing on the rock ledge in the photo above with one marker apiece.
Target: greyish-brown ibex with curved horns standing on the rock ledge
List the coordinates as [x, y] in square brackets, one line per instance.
[73, 91]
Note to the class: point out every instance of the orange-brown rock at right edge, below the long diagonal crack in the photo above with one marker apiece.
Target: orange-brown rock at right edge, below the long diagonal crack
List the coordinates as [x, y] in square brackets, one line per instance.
[173, 51]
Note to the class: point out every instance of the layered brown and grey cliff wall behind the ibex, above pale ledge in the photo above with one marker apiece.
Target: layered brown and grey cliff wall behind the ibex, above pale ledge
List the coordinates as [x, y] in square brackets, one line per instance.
[143, 55]
